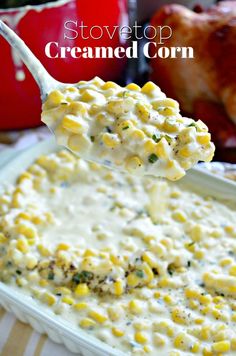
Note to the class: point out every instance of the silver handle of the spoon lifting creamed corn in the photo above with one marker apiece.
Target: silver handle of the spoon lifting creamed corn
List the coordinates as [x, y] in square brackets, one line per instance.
[44, 80]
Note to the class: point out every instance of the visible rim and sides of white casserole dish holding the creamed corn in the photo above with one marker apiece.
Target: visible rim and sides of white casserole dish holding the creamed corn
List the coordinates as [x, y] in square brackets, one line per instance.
[42, 319]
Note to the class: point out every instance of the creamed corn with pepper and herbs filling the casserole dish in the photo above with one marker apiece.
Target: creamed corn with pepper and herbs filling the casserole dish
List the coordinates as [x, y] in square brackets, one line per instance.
[186, 304]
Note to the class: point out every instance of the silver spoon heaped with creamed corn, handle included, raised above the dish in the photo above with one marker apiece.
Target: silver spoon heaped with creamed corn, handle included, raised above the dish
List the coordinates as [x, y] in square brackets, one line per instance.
[133, 129]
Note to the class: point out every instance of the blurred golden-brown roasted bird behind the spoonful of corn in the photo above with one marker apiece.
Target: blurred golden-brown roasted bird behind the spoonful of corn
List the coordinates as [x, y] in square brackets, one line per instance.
[206, 85]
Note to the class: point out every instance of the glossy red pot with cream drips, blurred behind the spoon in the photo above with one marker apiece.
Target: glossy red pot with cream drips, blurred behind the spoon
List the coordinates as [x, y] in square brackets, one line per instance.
[20, 103]
